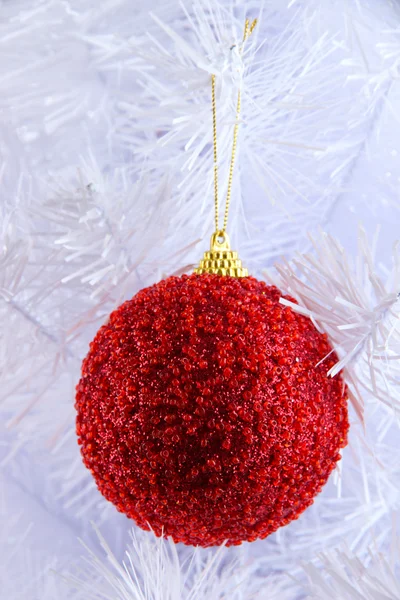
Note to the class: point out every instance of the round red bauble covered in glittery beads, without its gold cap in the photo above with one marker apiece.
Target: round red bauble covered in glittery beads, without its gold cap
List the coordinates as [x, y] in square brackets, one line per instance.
[205, 413]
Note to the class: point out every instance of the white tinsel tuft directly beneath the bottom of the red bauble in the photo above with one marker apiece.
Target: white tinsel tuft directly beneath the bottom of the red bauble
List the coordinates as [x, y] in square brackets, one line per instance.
[158, 569]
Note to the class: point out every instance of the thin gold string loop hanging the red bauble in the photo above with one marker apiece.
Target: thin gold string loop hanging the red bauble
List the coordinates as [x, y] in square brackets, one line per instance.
[248, 30]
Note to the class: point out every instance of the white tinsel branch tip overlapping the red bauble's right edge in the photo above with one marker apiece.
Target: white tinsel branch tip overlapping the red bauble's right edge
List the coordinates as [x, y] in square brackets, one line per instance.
[358, 306]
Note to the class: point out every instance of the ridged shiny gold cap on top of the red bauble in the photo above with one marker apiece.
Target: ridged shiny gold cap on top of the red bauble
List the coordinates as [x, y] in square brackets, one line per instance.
[221, 260]
